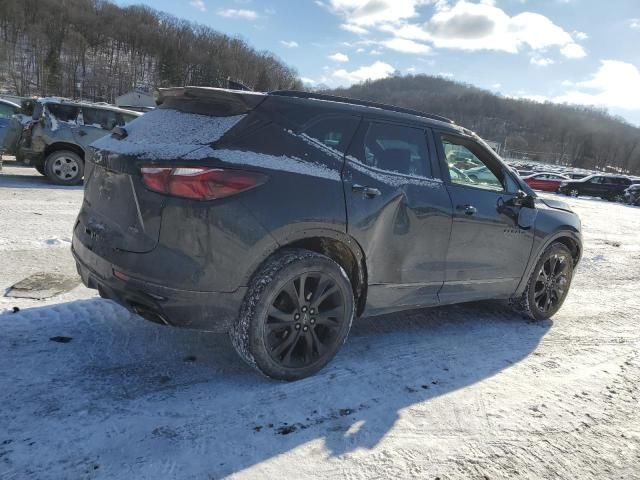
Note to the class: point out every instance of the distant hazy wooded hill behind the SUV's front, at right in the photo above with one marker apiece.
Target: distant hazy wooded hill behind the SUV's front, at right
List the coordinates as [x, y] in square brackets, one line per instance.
[573, 135]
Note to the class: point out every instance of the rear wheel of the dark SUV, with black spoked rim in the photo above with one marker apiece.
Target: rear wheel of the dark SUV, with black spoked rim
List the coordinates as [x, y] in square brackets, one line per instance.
[296, 315]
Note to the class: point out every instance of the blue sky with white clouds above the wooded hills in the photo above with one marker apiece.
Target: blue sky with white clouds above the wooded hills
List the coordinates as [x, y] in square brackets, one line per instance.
[577, 51]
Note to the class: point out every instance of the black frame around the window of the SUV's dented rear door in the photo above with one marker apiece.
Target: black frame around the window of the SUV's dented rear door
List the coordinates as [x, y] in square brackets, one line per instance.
[360, 136]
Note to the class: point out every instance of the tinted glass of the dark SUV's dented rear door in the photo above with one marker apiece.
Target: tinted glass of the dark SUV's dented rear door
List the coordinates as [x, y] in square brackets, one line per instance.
[395, 148]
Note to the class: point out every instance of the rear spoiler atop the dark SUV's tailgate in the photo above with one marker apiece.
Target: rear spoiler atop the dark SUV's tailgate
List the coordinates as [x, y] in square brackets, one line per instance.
[210, 101]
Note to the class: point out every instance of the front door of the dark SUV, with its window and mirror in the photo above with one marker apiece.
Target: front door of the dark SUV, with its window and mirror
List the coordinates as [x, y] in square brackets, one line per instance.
[492, 234]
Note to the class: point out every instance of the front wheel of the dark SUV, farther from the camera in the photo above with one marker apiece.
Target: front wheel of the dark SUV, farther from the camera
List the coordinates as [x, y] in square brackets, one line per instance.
[548, 284]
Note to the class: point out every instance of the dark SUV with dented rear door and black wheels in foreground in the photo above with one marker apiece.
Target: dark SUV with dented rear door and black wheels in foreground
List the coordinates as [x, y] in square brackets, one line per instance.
[281, 217]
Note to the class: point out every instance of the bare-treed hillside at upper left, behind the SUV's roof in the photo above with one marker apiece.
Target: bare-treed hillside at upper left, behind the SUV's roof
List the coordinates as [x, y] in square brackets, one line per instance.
[97, 50]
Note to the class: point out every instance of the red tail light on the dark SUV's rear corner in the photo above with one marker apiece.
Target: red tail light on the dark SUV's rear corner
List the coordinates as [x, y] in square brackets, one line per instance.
[199, 183]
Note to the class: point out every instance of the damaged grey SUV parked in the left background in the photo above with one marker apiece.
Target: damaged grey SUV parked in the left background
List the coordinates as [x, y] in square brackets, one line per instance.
[55, 139]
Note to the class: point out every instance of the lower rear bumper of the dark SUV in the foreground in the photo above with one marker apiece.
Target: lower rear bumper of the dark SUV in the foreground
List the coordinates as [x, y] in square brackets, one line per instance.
[208, 311]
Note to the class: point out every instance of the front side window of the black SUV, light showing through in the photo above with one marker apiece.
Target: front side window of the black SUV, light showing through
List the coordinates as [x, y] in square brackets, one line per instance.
[476, 169]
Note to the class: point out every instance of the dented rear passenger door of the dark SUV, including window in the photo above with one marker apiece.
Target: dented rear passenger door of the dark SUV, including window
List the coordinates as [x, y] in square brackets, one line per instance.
[399, 211]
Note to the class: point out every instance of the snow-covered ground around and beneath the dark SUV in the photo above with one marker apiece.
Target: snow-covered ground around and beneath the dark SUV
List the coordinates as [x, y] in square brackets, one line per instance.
[469, 391]
